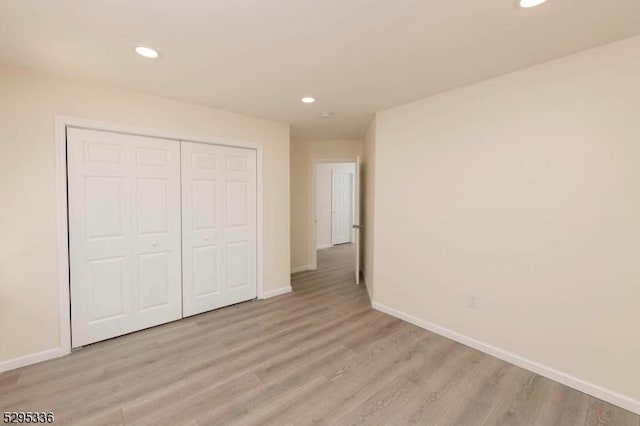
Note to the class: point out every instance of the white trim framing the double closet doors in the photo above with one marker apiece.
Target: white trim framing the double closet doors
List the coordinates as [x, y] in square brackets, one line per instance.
[61, 123]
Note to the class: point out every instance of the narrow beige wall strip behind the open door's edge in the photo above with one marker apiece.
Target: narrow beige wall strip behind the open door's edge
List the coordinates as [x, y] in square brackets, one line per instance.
[368, 205]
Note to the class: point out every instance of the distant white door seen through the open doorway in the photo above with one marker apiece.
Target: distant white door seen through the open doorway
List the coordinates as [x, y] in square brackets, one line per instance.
[340, 207]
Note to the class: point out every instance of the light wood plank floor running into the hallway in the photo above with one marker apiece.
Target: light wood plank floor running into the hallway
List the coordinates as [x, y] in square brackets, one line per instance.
[317, 355]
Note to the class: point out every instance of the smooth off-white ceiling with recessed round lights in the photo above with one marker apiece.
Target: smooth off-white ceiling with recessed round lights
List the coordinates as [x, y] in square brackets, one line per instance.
[259, 57]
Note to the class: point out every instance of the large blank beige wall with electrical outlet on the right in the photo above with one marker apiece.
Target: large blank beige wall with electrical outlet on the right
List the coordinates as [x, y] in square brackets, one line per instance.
[524, 191]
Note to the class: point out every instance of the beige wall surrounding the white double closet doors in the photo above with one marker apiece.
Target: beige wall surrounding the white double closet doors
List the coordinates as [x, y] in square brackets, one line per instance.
[28, 258]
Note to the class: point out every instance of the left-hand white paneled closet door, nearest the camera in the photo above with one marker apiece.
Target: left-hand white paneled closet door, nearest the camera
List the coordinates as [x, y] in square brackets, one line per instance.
[124, 233]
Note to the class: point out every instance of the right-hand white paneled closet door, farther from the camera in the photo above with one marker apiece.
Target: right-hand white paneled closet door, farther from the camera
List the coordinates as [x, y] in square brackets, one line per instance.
[218, 226]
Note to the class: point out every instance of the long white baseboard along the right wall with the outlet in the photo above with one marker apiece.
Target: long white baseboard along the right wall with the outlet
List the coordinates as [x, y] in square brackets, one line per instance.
[548, 372]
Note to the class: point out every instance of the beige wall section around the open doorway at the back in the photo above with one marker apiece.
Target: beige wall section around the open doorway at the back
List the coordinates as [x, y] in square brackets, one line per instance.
[303, 153]
